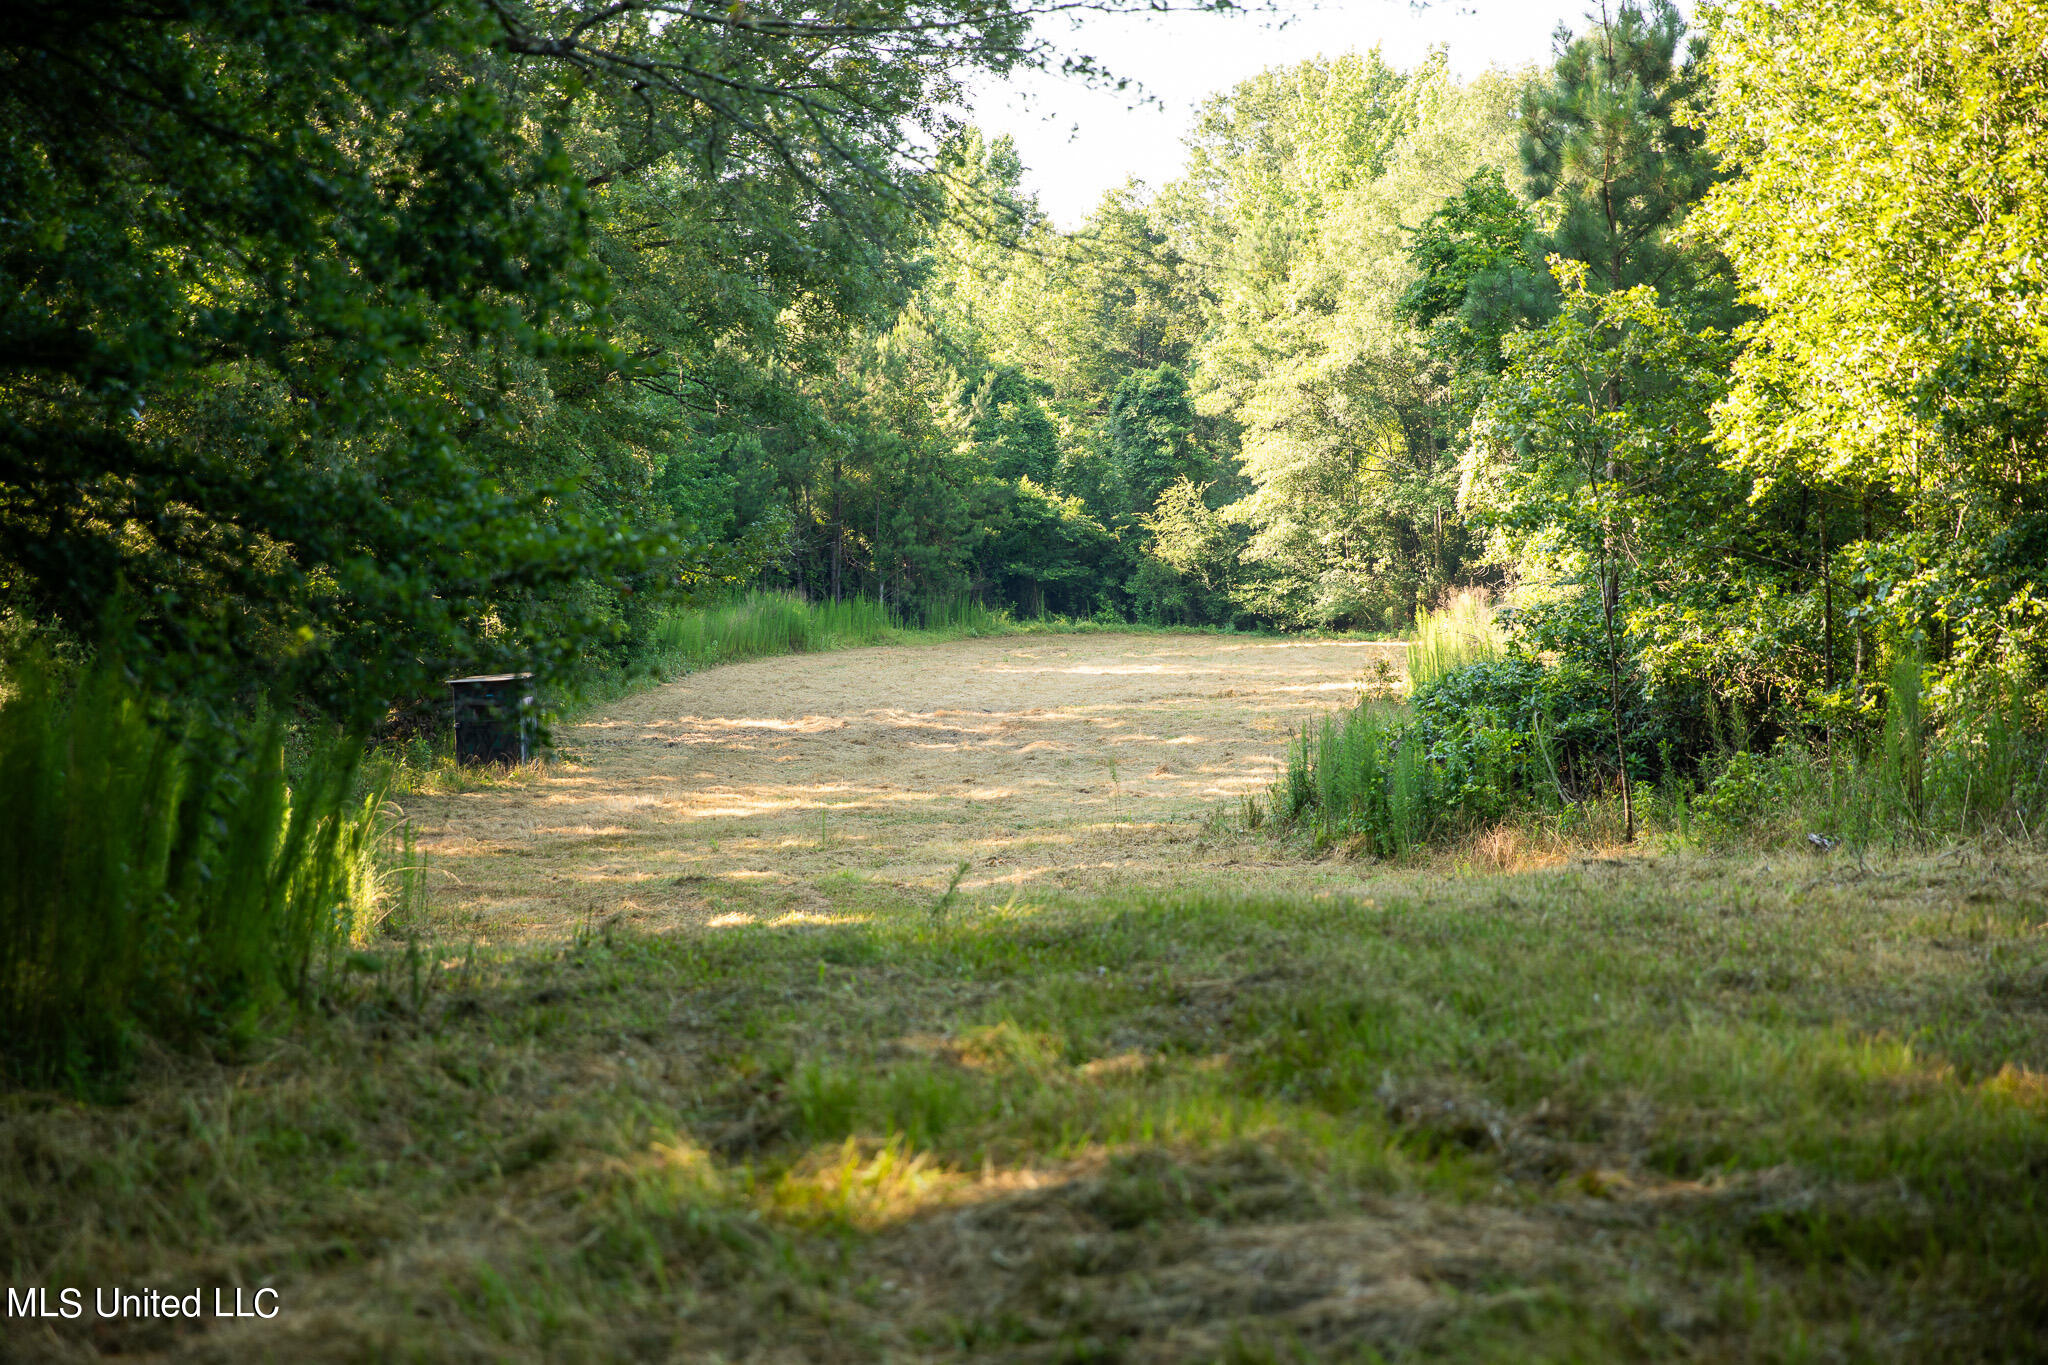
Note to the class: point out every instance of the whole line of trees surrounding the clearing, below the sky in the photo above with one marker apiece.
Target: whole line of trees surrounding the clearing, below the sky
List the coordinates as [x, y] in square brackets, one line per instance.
[351, 345]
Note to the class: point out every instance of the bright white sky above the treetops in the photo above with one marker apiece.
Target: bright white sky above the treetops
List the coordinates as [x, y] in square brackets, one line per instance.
[1080, 142]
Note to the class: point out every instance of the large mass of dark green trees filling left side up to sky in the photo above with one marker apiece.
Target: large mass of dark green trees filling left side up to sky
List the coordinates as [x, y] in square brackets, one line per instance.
[353, 339]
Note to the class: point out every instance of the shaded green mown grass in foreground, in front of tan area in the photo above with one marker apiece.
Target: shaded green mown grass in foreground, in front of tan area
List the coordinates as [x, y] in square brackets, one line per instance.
[1652, 1110]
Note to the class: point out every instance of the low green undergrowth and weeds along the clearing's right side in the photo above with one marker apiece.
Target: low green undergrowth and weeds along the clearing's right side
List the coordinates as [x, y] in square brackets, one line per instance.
[1506, 738]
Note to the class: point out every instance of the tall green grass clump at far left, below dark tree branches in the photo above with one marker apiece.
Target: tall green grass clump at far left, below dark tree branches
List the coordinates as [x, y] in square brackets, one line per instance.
[157, 881]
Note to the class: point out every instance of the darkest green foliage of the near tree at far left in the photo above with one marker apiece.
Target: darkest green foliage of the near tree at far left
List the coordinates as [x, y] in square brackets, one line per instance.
[245, 240]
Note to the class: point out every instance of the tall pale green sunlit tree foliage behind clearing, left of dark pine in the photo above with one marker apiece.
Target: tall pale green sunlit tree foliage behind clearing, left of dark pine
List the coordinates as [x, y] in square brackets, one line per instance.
[1353, 486]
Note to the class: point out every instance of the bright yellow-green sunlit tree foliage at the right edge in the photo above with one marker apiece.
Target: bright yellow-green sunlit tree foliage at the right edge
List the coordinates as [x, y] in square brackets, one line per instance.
[1887, 218]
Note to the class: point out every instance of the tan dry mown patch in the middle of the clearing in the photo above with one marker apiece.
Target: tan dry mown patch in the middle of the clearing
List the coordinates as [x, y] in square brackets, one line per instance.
[841, 785]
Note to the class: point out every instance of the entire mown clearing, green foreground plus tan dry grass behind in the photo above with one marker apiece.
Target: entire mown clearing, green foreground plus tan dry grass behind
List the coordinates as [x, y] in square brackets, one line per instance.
[1134, 1086]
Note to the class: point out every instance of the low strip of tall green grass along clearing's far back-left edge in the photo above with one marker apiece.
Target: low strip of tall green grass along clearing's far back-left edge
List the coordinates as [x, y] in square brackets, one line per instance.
[761, 625]
